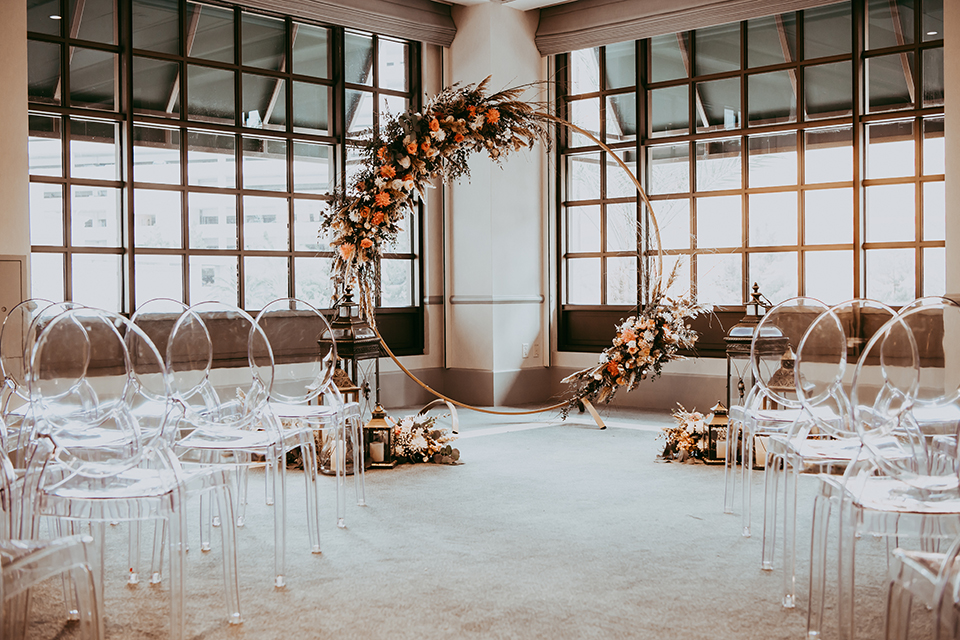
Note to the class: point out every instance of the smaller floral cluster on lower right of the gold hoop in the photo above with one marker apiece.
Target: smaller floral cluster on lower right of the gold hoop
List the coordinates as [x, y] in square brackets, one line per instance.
[643, 344]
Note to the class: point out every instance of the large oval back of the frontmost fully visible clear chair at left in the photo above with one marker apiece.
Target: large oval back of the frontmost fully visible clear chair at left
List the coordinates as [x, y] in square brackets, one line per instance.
[84, 391]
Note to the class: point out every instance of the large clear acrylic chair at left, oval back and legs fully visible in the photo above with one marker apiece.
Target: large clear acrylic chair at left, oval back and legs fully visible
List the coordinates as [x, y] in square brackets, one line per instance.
[114, 459]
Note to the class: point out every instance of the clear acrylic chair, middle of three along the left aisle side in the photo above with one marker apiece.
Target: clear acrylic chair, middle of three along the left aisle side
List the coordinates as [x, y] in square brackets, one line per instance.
[227, 430]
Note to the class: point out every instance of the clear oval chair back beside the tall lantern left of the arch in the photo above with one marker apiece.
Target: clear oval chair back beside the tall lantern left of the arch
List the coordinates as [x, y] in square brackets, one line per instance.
[291, 326]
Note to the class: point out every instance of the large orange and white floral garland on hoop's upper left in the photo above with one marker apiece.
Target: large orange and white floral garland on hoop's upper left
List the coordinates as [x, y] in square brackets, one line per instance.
[413, 149]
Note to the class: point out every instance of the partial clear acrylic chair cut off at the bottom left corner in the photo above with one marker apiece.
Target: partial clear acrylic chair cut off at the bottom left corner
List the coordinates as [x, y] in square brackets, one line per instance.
[25, 563]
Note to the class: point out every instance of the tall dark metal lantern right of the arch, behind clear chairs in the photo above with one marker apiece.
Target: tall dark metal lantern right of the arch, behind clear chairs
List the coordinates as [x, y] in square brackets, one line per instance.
[739, 340]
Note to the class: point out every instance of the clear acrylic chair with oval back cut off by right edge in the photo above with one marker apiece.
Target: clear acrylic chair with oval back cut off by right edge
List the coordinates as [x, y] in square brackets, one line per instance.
[901, 485]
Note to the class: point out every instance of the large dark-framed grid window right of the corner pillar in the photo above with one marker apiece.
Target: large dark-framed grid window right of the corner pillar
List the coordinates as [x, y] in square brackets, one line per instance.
[802, 151]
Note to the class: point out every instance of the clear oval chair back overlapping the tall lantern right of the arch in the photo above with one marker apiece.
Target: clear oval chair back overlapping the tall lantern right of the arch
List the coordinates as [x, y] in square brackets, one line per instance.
[781, 329]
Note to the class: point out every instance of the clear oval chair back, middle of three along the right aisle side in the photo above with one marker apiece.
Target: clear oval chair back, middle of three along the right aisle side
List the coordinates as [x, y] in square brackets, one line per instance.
[823, 361]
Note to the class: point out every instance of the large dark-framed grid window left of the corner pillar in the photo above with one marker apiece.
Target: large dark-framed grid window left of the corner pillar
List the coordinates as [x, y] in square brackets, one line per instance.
[186, 150]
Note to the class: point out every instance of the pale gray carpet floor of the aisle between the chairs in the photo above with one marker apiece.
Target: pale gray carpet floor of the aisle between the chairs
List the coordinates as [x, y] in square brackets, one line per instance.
[547, 530]
